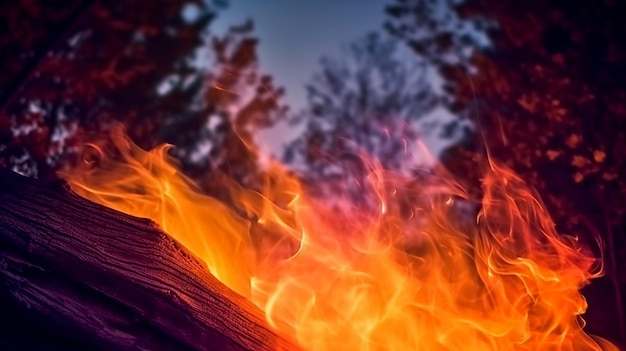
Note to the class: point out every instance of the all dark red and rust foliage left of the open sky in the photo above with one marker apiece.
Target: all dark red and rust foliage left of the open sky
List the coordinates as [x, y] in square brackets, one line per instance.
[84, 65]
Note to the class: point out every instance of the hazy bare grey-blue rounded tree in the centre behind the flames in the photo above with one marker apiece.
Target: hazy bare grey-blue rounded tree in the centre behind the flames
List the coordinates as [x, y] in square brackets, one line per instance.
[366, 102]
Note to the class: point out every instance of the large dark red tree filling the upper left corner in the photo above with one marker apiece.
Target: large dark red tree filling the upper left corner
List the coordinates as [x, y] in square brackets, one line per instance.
[83, 64]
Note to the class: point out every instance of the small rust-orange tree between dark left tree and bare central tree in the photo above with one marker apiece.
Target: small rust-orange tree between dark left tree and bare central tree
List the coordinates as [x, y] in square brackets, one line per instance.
[238, 100]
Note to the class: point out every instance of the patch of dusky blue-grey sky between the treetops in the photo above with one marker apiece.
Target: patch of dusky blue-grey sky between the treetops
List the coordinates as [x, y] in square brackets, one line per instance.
[294, 34]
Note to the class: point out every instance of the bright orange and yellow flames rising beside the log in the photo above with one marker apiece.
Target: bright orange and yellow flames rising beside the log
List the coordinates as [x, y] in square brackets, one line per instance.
[405, 273]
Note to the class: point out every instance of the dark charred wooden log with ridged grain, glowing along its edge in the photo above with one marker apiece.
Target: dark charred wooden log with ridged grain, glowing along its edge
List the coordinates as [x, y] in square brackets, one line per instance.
[77, 275]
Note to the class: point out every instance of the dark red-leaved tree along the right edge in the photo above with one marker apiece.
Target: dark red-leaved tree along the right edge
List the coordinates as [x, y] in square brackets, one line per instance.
[549, 95]
